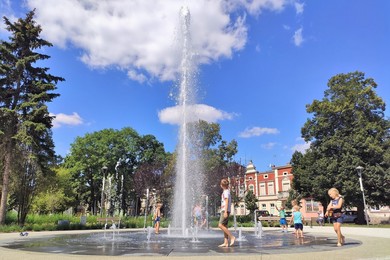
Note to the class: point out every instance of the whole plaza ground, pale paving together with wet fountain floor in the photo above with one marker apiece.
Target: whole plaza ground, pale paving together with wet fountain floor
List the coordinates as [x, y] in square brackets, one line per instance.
[319, 243]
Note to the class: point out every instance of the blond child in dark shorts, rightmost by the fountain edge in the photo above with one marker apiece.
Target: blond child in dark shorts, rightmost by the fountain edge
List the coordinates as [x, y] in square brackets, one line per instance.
[334, 212]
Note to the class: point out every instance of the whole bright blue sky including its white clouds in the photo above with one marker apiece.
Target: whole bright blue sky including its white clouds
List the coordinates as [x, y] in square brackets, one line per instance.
[260, 63]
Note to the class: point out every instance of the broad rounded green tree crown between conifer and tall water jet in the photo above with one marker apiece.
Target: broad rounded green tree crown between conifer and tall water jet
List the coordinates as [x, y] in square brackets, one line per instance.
[124, 153]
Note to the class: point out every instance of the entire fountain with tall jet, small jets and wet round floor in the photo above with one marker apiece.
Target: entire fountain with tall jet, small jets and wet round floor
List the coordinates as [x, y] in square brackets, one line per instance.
[188, 184]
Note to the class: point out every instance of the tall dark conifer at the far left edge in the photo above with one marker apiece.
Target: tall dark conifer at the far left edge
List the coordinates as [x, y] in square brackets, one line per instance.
[26, 146]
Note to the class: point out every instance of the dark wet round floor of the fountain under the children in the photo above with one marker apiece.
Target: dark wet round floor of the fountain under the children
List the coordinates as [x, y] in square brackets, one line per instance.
[125, 243]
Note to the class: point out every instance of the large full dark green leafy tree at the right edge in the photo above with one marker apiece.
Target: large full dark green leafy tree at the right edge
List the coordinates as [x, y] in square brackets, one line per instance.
[348, 129]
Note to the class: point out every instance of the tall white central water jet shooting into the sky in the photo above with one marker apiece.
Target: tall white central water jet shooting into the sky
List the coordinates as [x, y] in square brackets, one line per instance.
[188, 166]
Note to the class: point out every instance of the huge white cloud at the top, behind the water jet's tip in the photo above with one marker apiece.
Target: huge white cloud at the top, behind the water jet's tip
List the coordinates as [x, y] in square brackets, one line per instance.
[138, 36]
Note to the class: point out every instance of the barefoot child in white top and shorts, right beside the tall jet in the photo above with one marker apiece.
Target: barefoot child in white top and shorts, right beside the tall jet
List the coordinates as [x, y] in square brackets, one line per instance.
[226, 201]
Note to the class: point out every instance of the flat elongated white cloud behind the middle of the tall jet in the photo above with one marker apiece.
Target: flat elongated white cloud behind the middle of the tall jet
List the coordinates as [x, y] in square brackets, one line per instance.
[173, 115]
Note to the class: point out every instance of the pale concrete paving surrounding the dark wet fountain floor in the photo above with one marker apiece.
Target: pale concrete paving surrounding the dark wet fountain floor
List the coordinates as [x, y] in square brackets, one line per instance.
[374, 244]
